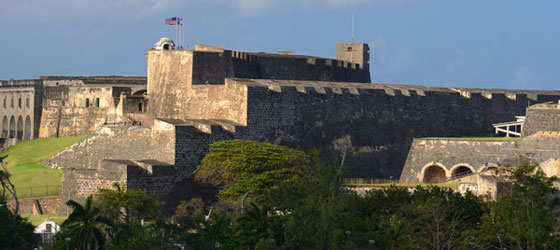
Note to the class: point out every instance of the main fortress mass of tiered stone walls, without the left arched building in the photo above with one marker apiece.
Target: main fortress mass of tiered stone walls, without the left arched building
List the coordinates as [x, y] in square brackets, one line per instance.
[197, 97]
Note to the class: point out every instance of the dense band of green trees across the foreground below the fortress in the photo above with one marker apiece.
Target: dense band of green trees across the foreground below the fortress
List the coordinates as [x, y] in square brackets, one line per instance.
[315, 212]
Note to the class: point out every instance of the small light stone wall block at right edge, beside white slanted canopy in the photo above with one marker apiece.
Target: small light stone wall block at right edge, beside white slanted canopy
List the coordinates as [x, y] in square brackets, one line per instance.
[541, 119]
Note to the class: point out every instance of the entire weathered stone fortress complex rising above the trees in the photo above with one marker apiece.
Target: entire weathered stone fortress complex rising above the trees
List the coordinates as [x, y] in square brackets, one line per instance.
[151, 133]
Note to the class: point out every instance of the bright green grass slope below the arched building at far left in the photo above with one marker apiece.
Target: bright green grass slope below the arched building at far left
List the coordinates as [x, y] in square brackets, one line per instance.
[30, 178]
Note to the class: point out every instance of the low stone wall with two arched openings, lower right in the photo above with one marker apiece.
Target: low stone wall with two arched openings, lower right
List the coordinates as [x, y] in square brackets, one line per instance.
[448, 154]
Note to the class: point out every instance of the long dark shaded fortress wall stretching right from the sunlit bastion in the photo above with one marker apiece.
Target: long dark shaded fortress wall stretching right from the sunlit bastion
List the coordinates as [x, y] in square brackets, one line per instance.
[380, 120]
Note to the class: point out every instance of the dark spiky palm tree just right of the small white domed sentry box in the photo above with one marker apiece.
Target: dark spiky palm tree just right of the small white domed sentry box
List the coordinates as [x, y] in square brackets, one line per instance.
[85, 223]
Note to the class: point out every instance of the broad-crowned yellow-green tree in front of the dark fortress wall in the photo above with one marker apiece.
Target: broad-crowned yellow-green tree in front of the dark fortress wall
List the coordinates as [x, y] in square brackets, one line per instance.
[237, 167]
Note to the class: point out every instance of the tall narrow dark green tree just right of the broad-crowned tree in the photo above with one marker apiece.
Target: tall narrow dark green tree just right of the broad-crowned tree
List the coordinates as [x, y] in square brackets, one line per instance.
[319, 210]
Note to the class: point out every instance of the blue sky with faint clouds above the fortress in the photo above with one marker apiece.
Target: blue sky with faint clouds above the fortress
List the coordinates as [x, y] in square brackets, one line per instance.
[475, 43]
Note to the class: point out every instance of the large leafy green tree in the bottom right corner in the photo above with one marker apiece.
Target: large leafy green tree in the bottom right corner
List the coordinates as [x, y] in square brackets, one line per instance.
[527, 217]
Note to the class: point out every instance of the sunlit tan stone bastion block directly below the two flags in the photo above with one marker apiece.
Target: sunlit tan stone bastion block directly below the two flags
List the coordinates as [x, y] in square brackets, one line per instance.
[179, 99]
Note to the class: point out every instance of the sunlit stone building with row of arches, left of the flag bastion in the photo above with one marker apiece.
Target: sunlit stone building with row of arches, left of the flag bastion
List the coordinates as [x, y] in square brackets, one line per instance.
[54, 106]
